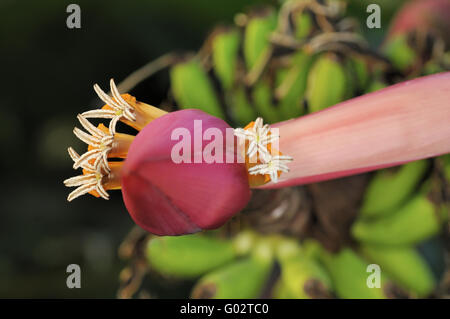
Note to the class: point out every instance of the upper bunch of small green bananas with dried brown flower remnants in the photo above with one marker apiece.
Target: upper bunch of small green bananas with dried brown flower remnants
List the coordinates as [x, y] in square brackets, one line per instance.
[277, 65]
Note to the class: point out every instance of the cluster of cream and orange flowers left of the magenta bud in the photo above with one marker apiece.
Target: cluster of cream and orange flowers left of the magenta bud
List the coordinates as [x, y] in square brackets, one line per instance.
[104, 143]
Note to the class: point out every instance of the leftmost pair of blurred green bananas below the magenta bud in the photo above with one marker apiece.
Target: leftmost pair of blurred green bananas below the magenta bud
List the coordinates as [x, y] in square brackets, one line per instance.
[223, 268]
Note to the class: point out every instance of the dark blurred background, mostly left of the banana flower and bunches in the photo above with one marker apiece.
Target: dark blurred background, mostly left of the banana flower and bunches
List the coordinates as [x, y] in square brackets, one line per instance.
[47, 73]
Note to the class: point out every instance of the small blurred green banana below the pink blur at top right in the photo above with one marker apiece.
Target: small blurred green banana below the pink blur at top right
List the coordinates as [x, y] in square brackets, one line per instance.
[400, 53]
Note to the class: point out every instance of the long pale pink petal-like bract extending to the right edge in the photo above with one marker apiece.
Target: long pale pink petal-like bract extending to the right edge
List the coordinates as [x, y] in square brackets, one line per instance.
[402, 123]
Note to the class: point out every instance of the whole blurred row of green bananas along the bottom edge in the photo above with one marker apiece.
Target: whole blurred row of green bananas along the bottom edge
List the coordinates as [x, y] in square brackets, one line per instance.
[245, 266]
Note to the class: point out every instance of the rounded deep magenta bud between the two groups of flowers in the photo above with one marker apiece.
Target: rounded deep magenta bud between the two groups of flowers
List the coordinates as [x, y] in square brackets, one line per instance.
[166, 198]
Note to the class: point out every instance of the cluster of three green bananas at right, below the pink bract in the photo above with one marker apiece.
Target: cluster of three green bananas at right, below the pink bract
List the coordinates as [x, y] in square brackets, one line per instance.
[398, 226]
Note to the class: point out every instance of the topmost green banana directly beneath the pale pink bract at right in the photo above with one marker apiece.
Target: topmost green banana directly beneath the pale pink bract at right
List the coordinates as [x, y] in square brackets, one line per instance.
[388, 190]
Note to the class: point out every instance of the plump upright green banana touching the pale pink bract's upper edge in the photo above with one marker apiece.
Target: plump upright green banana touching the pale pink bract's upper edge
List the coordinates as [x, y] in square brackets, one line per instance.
[327, 83]
